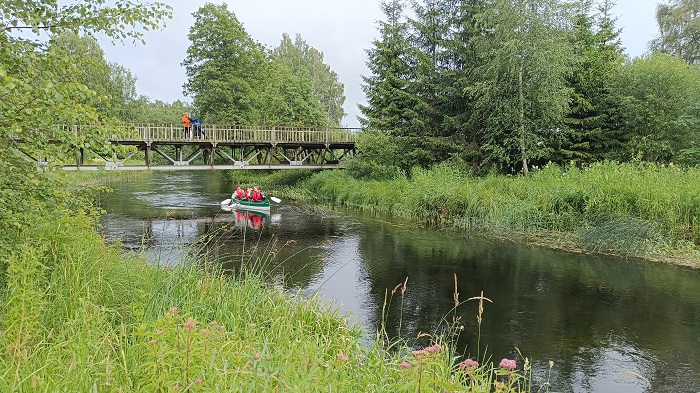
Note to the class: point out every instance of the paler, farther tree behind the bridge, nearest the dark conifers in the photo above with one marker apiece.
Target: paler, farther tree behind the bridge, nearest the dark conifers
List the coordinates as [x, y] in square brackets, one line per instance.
[305, 62]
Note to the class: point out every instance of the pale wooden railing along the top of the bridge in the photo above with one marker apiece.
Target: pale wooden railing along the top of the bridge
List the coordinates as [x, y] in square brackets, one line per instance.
[238, 133]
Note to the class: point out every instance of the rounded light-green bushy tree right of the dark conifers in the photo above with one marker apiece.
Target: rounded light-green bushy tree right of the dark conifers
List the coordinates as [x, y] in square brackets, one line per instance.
[660, 100]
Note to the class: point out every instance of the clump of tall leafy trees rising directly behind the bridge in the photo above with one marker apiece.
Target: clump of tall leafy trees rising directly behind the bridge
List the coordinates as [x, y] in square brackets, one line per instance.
[233, 78]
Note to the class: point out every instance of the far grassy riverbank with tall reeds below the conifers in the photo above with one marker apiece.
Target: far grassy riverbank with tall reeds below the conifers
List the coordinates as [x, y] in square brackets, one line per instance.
[647, 211]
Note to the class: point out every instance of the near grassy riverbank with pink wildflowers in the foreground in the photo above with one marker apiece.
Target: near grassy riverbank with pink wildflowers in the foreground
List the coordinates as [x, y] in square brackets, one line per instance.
[79, 316]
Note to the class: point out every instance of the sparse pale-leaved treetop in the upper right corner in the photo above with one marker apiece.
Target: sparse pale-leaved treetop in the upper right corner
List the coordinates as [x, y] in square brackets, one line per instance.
[679, 29]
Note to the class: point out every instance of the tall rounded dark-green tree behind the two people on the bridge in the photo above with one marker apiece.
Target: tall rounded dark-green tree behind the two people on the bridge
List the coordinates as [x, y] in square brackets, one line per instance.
[226, 69]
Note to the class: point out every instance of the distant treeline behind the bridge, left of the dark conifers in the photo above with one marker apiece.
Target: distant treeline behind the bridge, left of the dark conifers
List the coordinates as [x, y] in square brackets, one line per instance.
[232, 79]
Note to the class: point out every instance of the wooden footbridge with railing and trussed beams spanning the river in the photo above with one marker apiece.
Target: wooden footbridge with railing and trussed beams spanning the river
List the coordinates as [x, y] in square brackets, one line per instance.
[223, 147]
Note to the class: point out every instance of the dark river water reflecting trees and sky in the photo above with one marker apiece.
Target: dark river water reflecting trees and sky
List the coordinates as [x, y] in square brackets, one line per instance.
[609, 325]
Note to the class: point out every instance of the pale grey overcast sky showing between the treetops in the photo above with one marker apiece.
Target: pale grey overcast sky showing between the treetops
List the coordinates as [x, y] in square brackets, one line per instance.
[342, 30]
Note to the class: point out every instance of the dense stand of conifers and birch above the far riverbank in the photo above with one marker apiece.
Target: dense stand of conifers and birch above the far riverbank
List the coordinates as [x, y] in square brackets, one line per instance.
[504, 85]
